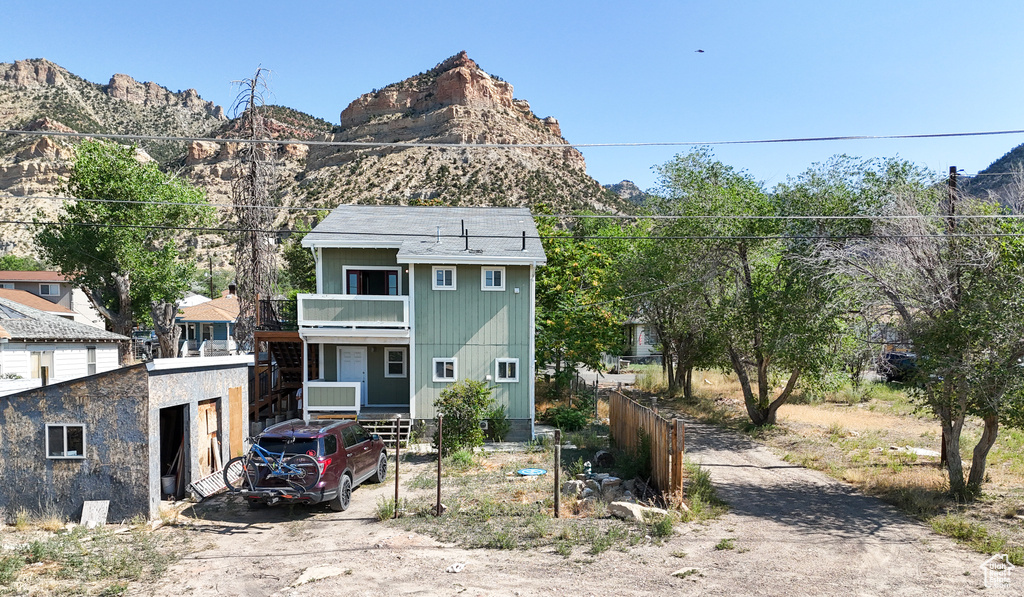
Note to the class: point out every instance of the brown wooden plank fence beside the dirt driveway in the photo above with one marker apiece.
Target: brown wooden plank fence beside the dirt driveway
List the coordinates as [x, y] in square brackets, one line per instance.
[667, 441]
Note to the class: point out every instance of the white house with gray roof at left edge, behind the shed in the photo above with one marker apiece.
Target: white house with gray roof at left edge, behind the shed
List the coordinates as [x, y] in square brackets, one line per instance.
[36, 339]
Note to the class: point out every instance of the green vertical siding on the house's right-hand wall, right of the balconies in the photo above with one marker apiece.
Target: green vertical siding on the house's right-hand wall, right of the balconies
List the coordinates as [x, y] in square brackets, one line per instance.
[476, 327]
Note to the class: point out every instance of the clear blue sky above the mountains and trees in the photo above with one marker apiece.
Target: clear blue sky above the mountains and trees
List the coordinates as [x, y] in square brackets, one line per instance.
[608, 71]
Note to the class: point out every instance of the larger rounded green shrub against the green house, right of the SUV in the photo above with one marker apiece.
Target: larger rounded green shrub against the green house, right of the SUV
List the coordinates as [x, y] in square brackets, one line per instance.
[463, 405]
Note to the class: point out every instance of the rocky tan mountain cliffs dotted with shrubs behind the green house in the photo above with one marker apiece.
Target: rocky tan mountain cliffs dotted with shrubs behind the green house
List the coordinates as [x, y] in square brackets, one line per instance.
[454, 103]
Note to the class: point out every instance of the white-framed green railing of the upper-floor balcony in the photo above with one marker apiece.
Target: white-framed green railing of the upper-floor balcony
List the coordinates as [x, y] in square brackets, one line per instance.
[351, 311]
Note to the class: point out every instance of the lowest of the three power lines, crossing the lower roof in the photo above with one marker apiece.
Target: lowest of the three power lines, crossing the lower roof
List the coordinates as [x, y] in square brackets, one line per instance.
[531, 237]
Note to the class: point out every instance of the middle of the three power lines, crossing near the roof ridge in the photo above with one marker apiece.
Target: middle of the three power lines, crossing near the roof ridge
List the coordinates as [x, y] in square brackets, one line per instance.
[878, 218]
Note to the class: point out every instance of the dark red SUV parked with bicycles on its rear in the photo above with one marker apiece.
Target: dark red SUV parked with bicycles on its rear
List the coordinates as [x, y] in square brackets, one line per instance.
[347, 455]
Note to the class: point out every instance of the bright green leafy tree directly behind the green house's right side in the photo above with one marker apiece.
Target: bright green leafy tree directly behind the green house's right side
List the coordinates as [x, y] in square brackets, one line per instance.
[578, 315]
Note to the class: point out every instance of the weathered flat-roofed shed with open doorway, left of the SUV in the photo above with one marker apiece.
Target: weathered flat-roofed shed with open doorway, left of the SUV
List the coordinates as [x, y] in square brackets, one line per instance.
[132, 436]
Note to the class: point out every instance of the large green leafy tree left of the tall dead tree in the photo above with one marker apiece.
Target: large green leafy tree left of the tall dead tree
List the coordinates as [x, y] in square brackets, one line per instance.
[124, 254]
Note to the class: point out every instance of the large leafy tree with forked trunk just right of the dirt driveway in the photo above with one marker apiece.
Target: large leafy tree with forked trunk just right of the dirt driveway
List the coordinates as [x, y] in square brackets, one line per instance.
[774, 315]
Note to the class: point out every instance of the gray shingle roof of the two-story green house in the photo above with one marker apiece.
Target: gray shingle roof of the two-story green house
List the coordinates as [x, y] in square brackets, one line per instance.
[496, 235]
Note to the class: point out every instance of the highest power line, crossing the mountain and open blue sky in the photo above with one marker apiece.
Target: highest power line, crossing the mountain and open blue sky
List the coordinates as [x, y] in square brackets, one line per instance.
[508, 146]
